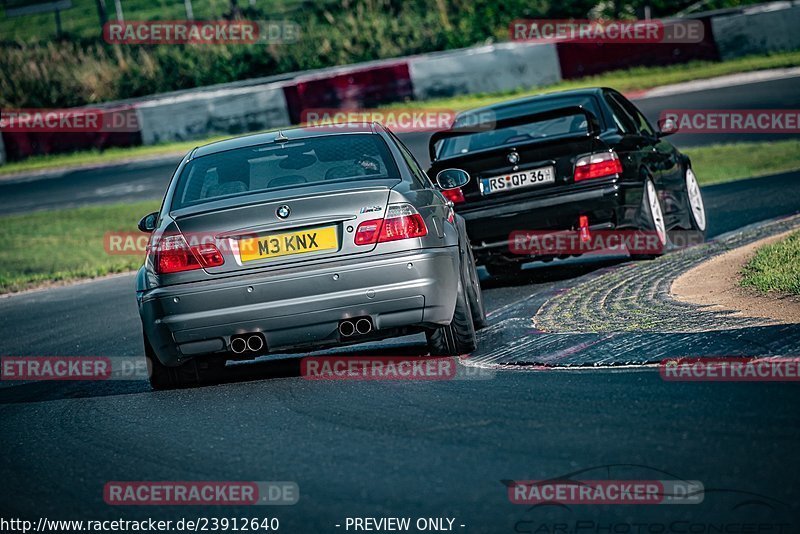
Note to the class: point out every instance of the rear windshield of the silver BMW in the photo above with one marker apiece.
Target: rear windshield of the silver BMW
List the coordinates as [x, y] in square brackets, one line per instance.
[290, 165]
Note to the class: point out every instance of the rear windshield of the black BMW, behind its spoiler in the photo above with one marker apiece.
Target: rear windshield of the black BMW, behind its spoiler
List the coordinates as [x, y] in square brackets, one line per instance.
[535, 130]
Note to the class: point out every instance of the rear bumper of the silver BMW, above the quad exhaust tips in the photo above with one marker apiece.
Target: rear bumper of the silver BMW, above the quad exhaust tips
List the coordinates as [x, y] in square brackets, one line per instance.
[301, 306]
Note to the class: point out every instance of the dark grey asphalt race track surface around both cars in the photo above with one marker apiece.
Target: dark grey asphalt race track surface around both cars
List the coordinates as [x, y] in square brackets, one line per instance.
[406, 448]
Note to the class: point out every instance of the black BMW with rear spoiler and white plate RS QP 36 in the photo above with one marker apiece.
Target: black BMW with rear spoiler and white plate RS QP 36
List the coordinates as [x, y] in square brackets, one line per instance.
[582, 163]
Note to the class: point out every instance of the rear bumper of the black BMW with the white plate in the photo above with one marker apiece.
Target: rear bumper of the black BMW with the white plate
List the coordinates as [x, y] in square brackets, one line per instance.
[489, 227]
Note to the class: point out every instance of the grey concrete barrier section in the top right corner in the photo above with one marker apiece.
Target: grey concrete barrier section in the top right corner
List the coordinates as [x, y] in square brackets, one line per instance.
[767, 28]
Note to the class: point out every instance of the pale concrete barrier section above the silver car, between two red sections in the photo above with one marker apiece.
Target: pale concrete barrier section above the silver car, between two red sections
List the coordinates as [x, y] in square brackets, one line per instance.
[226, 111]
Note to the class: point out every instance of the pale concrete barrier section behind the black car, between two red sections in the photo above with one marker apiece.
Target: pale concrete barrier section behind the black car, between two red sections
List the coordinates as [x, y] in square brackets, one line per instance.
[484, 69]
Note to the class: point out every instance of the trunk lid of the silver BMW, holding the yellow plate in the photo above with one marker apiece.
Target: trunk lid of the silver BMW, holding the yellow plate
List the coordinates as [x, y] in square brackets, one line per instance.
[313, 224]
